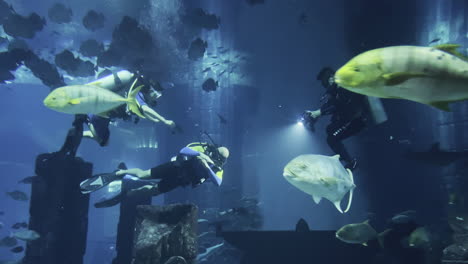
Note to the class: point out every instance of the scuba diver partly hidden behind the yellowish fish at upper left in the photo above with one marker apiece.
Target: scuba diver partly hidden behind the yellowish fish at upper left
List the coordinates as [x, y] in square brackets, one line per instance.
[122, 82]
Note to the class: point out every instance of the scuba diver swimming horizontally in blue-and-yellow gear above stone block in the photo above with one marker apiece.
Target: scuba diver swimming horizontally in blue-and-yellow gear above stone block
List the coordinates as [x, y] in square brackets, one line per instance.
[194, 164]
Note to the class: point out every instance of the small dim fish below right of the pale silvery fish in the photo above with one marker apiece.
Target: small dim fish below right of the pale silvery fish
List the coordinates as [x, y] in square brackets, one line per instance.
[359, 233]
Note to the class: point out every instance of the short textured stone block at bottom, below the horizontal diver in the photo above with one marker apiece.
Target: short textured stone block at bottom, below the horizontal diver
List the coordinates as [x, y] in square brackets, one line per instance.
[165, 232]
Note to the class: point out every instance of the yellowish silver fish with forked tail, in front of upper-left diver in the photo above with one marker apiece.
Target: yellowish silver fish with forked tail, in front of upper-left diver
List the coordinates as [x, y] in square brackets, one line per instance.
[89, 99]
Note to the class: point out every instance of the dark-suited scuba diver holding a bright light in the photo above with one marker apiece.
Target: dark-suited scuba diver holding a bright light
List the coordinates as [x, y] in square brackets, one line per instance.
[349, 115]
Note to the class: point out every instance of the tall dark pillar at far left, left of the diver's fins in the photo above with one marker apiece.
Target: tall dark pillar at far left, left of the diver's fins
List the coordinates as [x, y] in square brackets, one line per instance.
[58, 210]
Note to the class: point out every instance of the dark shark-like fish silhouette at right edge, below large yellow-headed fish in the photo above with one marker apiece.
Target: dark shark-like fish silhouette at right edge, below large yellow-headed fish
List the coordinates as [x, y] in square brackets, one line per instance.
[437, 157]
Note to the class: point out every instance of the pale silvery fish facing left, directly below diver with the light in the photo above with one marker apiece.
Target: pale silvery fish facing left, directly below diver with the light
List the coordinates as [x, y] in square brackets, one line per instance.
[321, 177]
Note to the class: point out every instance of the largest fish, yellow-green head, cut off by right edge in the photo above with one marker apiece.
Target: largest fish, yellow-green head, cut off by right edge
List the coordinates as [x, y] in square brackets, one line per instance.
[434, 76]
